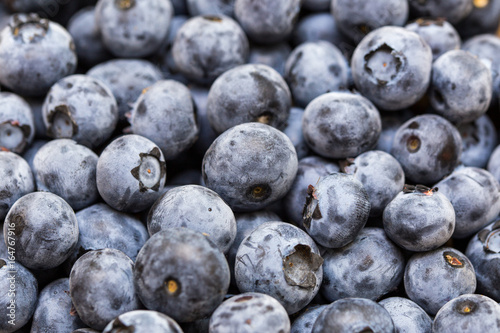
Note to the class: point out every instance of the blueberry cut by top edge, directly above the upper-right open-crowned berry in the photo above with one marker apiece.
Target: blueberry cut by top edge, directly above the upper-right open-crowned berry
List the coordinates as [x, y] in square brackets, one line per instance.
[357, 18]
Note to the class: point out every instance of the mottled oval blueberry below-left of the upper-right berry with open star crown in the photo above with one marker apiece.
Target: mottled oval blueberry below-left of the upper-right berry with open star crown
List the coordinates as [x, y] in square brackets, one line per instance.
[340, 125]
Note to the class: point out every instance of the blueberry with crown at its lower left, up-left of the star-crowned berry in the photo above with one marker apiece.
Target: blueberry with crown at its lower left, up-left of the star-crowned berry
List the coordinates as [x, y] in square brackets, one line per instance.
[81, 108]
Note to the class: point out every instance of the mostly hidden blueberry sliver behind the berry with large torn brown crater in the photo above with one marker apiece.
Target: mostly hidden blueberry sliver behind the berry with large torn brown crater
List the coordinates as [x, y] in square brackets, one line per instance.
[246, 223]
